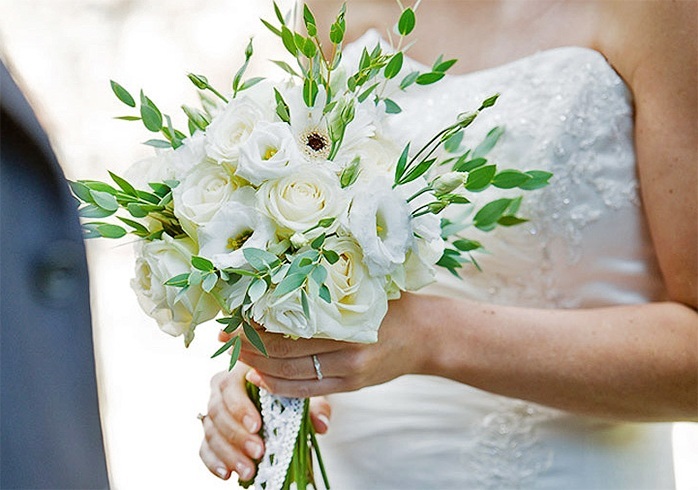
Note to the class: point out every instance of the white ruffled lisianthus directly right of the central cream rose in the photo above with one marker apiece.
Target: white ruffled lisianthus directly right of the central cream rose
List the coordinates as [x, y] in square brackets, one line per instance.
[379, 219]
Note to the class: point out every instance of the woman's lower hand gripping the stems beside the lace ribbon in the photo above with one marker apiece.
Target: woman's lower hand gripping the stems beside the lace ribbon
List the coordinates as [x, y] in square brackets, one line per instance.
[231, 427]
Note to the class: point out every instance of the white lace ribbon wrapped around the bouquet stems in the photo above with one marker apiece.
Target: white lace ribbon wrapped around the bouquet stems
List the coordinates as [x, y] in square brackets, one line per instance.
[282, 420]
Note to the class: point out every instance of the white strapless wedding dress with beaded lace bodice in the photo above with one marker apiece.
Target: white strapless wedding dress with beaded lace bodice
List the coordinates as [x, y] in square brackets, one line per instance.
[586, 245]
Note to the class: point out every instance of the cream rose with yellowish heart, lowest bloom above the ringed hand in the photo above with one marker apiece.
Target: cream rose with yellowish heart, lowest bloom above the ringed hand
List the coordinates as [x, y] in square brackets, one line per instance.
[358, 300]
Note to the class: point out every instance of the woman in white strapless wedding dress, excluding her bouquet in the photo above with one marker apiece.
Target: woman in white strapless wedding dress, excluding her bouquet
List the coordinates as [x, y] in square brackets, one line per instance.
[561, 363]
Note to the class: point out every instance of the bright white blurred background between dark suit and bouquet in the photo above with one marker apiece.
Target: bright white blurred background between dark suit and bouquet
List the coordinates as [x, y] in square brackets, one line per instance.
[64, 52]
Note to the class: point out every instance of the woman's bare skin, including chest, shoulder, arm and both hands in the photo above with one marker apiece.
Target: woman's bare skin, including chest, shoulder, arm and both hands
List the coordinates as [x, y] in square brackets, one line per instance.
[634, 363]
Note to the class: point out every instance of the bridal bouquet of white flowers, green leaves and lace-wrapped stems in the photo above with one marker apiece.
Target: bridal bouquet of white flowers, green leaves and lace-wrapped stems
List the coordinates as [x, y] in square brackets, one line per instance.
[290, 205]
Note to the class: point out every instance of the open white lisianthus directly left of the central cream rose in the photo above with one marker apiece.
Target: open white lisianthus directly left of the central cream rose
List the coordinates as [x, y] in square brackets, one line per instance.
[235, 226]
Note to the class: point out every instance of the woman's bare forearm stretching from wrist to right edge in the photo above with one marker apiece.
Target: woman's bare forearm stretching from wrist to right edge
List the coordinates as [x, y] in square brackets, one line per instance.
[626, 362]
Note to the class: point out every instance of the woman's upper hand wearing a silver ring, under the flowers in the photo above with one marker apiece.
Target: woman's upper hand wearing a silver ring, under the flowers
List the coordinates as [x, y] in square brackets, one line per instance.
[289, 369]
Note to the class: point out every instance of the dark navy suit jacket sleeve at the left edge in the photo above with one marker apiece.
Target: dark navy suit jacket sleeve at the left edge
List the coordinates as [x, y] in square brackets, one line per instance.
[50, 430]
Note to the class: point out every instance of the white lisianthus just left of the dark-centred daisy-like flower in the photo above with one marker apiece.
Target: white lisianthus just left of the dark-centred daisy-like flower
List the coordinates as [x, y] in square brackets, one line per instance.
[269, 153]
